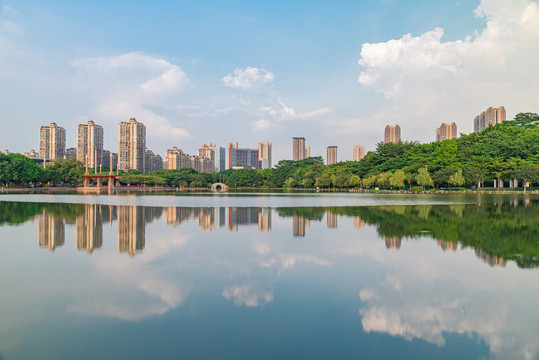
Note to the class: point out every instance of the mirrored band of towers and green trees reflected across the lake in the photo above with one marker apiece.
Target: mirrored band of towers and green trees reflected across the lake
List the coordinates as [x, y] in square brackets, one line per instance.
[498, 231]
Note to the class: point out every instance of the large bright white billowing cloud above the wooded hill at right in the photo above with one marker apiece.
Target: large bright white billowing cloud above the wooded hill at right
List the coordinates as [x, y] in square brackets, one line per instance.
[426, 80]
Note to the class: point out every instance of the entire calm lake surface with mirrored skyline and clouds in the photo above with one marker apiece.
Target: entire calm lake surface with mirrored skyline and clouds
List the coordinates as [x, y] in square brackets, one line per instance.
[273, 276]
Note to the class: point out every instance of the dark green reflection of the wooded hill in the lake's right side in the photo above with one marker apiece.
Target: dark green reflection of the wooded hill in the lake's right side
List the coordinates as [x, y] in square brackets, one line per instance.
[500, 231]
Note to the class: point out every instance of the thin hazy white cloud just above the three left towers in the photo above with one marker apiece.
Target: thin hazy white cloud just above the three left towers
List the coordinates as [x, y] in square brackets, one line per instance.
[133, 85]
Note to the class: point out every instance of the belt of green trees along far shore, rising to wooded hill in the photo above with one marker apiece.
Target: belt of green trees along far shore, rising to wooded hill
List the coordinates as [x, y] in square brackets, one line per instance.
[503, 152]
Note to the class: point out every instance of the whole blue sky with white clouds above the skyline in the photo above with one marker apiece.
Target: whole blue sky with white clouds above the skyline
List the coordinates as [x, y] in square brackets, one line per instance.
[335, 73]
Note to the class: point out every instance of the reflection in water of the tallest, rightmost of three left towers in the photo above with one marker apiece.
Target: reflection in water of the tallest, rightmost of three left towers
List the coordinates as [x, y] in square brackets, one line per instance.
[131, 229]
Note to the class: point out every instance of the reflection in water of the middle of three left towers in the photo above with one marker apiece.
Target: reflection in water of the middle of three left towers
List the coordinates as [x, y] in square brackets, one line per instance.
[89, 228]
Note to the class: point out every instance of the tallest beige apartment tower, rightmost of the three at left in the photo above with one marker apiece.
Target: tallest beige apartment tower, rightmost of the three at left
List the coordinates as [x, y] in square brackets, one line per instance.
[131, 145]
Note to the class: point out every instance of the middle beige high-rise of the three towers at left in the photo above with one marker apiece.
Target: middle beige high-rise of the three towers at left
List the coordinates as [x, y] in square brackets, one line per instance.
[90, 144]
